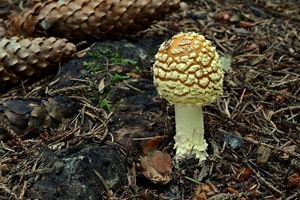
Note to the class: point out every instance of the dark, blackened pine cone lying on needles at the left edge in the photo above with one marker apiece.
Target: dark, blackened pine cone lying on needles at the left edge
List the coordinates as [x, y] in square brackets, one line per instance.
[34, 115]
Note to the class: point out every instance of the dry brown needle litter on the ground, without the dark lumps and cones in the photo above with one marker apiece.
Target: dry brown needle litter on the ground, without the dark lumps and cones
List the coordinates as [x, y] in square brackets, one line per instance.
[259, 110]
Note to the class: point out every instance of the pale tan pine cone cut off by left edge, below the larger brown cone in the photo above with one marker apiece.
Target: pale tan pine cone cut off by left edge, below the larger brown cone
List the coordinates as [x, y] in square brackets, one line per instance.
[22, 58]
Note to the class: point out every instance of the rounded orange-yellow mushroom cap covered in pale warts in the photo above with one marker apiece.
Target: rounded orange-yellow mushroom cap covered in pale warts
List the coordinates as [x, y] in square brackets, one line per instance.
[187, 70]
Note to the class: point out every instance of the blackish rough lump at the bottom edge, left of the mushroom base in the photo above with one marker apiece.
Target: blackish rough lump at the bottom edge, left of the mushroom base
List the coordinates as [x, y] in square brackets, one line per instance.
[77, 172]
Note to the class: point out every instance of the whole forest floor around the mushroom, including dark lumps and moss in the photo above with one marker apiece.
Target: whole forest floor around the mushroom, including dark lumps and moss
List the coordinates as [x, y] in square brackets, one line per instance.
[102, 132]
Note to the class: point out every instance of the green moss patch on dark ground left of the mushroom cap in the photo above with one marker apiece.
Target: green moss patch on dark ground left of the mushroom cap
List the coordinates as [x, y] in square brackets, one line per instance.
[109, 65]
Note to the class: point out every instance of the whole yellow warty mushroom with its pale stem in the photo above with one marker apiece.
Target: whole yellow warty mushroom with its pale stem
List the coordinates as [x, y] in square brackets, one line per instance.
[187, 73]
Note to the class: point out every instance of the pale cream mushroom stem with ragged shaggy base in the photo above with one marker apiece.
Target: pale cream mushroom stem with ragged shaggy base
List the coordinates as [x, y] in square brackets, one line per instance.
[189, 138]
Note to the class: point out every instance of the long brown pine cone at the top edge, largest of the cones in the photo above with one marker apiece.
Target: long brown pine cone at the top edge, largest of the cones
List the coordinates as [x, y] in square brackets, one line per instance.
[87, 19]
